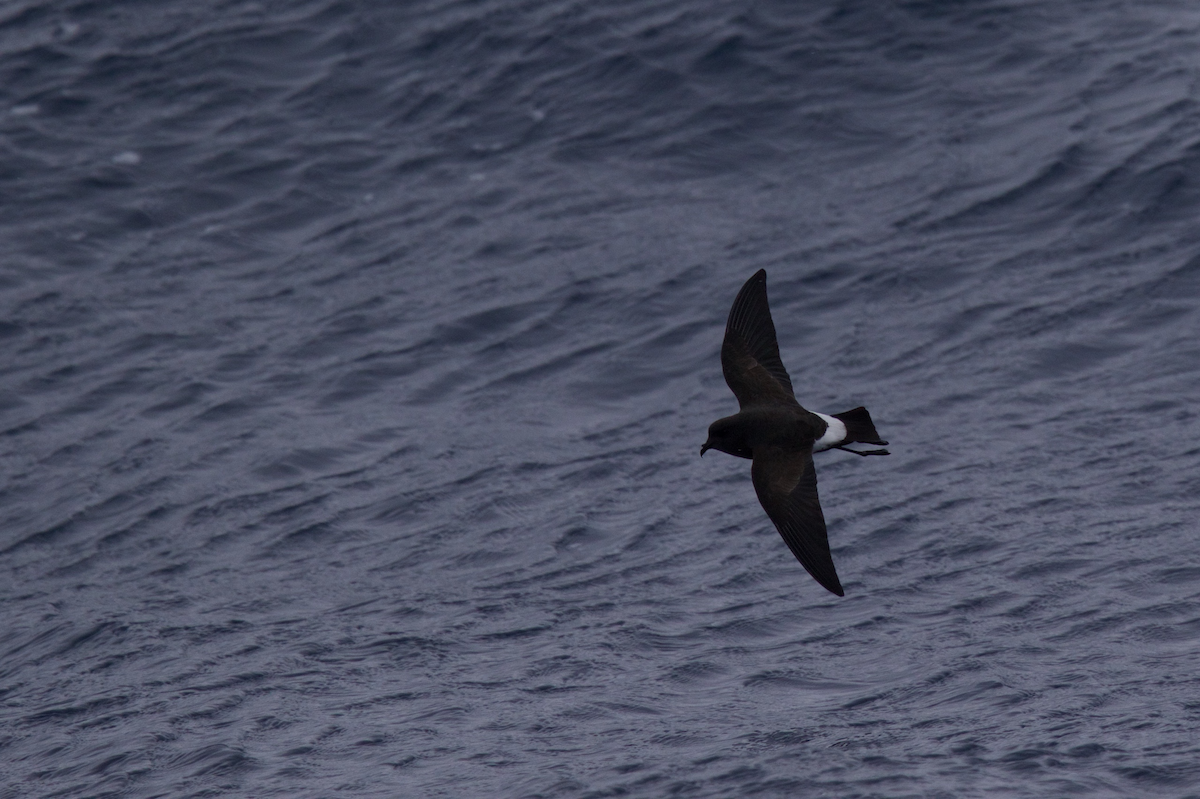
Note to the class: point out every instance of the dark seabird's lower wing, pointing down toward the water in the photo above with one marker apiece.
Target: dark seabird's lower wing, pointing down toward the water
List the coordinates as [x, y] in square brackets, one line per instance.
[787, 484]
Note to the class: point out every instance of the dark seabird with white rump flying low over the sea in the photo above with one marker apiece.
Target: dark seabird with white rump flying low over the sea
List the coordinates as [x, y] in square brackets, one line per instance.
[778, 435]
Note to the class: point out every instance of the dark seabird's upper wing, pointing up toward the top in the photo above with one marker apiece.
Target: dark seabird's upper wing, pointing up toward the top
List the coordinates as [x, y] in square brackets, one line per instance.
[751, 352]
